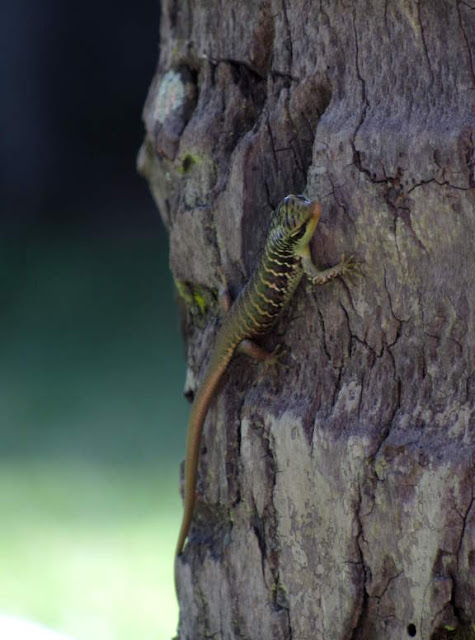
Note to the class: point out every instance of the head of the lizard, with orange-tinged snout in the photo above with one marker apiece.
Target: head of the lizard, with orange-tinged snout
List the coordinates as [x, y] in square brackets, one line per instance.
[295, 220]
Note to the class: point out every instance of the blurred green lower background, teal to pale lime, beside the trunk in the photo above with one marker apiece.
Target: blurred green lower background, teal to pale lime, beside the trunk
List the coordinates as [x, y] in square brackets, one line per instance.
[92, 419]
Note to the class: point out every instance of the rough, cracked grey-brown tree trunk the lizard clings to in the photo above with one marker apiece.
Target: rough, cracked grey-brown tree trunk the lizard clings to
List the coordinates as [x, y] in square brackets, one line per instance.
[339, 503]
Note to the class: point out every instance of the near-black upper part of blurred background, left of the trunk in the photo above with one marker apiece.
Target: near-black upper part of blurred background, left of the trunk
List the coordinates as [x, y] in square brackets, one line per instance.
[74, 79]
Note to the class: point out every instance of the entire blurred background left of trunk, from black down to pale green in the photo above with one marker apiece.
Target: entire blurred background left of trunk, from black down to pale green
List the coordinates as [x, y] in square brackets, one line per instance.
[92, 417]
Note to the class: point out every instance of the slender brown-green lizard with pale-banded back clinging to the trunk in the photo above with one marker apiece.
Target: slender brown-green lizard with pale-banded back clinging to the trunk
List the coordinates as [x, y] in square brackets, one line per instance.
[285, 259]
